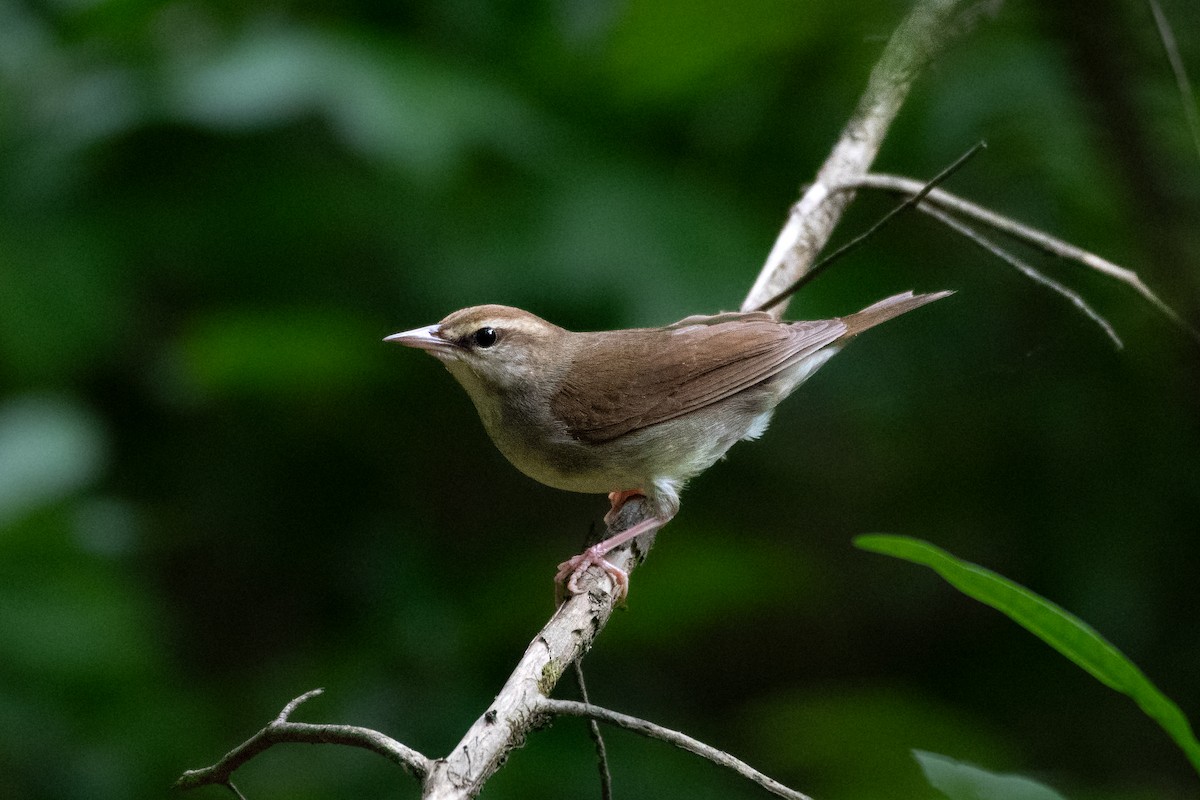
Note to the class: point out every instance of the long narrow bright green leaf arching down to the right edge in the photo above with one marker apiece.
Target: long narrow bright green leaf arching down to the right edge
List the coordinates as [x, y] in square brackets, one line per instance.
[1060, 629]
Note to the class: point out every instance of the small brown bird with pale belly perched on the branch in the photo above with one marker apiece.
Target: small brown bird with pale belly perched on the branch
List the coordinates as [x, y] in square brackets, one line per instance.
[637, 412]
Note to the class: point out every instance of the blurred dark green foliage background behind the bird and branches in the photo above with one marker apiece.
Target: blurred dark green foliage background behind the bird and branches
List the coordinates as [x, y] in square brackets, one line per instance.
[220, 490]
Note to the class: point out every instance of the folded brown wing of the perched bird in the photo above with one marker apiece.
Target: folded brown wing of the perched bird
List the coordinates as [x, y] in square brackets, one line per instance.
[657, 375]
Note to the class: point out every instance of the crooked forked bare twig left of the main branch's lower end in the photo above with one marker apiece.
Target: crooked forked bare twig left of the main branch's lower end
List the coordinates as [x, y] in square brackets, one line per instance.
[283, 731]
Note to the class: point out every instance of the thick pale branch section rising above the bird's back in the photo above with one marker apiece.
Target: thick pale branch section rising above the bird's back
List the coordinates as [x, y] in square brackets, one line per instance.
[920, 38]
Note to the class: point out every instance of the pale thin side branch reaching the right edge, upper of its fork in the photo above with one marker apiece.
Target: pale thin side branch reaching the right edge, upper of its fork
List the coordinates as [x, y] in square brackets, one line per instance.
[1021, 232]
